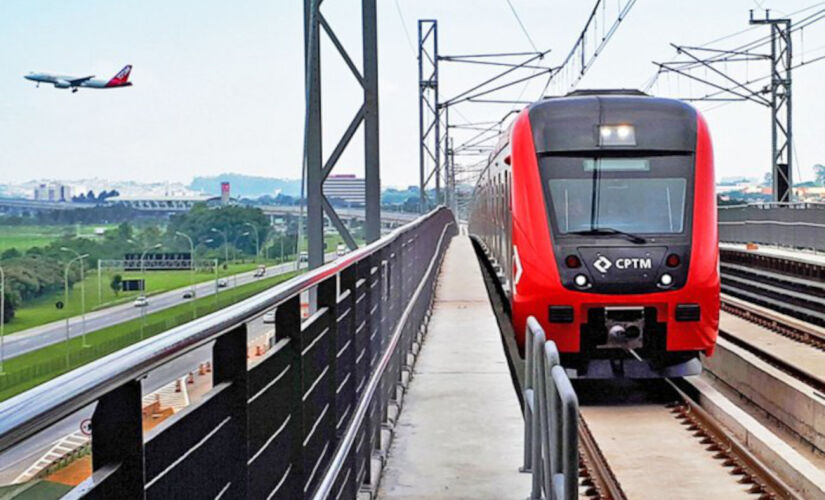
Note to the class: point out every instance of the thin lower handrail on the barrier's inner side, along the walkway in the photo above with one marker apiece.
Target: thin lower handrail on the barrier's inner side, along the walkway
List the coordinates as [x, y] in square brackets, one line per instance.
[348, 439]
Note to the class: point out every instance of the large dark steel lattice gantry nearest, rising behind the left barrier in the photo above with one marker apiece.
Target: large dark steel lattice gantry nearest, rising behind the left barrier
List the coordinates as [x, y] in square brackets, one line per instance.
[316, 168]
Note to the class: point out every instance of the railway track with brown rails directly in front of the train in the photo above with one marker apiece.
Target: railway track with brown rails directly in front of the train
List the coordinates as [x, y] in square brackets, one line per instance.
[702, 457]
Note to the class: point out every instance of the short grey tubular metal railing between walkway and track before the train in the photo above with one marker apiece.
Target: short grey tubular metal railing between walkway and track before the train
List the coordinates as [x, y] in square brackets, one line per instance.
[551, 421]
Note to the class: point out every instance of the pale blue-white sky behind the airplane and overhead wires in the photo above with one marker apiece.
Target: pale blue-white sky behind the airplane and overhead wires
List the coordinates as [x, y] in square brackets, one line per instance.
[219, 88]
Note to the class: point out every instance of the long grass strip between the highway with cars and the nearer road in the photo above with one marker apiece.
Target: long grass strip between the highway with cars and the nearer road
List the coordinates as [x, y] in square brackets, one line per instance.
[28, 370]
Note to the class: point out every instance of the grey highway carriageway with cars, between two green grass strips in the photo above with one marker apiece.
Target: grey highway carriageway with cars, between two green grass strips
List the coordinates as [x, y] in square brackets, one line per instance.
[51, 333]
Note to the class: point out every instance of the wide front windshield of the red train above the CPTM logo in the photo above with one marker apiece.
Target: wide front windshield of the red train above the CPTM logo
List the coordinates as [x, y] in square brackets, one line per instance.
[644, 195]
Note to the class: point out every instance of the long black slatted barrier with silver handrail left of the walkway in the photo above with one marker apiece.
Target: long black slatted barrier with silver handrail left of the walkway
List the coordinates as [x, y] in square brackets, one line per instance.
[302, 421]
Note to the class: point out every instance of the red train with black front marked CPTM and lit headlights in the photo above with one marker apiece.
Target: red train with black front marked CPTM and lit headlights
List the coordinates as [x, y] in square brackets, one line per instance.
[599, 210]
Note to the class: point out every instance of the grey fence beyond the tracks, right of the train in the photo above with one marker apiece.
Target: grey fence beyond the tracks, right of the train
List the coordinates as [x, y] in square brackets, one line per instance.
[795, 225]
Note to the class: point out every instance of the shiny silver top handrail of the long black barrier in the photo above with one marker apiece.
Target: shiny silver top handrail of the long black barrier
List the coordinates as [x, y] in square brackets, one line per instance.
[34, 410]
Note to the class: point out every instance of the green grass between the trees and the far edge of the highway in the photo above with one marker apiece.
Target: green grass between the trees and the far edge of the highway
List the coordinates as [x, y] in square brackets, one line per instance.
[42, 310]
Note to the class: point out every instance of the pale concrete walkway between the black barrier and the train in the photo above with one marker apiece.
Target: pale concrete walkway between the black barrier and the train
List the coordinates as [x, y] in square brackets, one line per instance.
[460, 431]
